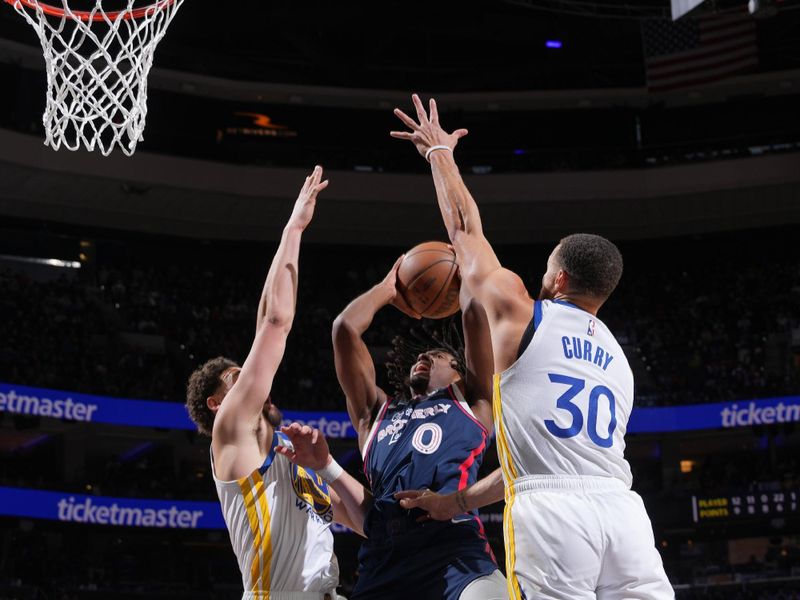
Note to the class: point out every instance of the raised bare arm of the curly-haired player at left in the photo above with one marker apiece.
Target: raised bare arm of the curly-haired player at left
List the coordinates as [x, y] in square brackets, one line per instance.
[239, 413]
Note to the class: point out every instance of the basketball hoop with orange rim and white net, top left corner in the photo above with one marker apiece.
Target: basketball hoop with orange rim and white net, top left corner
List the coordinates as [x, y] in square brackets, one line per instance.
[97, 65]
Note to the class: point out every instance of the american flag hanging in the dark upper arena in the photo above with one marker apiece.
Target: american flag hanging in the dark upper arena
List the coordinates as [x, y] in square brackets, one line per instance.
[693, 52]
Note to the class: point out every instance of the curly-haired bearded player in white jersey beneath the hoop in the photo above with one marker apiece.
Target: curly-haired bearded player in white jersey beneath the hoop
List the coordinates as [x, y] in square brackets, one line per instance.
[278, 514]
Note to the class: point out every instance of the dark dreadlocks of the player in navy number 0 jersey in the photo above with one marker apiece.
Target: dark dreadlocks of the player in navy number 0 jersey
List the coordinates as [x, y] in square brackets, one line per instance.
[444, 336]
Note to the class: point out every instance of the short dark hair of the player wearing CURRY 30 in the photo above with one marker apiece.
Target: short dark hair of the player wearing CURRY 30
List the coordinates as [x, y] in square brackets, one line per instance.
[593, 263]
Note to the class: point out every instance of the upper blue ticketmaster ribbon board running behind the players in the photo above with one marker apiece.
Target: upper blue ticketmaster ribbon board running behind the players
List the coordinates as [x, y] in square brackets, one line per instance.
[172, 415]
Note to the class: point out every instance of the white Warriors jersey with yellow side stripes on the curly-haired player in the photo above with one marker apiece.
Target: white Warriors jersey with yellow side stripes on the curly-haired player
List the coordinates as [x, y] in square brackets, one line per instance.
[279, 520]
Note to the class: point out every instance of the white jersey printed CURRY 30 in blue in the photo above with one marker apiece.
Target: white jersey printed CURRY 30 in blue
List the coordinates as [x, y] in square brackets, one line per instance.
[562, 408]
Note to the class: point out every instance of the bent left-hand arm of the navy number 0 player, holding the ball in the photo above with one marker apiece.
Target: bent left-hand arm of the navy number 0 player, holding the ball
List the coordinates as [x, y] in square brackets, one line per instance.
[355, 368]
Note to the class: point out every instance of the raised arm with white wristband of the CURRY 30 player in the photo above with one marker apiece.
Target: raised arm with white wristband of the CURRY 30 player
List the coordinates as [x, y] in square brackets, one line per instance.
[501, 292]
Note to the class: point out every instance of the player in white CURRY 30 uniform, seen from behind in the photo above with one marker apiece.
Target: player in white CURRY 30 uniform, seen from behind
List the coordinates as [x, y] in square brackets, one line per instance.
[563, 394]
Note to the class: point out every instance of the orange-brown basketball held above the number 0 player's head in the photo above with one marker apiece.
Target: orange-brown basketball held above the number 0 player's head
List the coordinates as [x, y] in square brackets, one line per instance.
[428, 280]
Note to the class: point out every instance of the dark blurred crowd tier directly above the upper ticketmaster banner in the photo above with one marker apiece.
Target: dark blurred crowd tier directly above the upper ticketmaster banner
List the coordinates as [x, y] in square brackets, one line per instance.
[700, 320]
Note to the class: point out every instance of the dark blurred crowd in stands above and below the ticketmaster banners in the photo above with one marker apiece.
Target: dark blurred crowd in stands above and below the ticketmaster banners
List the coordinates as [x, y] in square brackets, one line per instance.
[700, 319]
